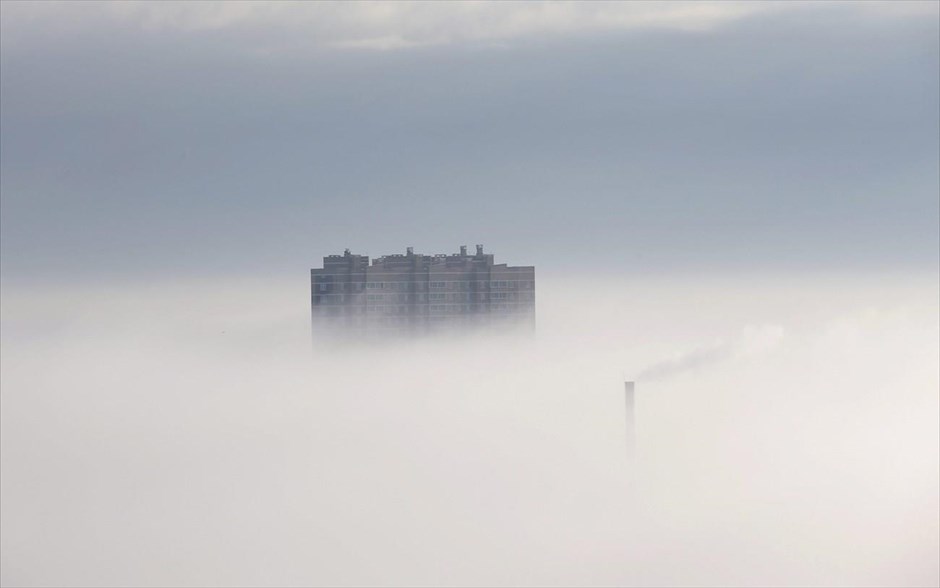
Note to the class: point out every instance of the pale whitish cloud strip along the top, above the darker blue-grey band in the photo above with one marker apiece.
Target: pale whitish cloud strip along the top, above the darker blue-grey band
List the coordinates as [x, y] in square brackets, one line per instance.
[277, 27]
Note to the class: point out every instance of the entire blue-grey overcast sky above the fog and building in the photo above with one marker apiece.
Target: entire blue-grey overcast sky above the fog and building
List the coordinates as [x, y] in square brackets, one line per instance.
[170, 138]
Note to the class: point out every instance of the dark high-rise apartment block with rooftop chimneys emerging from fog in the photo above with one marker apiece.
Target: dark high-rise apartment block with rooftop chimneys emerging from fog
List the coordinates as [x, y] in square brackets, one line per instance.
[415, 293]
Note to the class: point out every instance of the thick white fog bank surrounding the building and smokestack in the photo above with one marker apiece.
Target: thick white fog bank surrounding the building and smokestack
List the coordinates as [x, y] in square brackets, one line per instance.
[187, 433]
